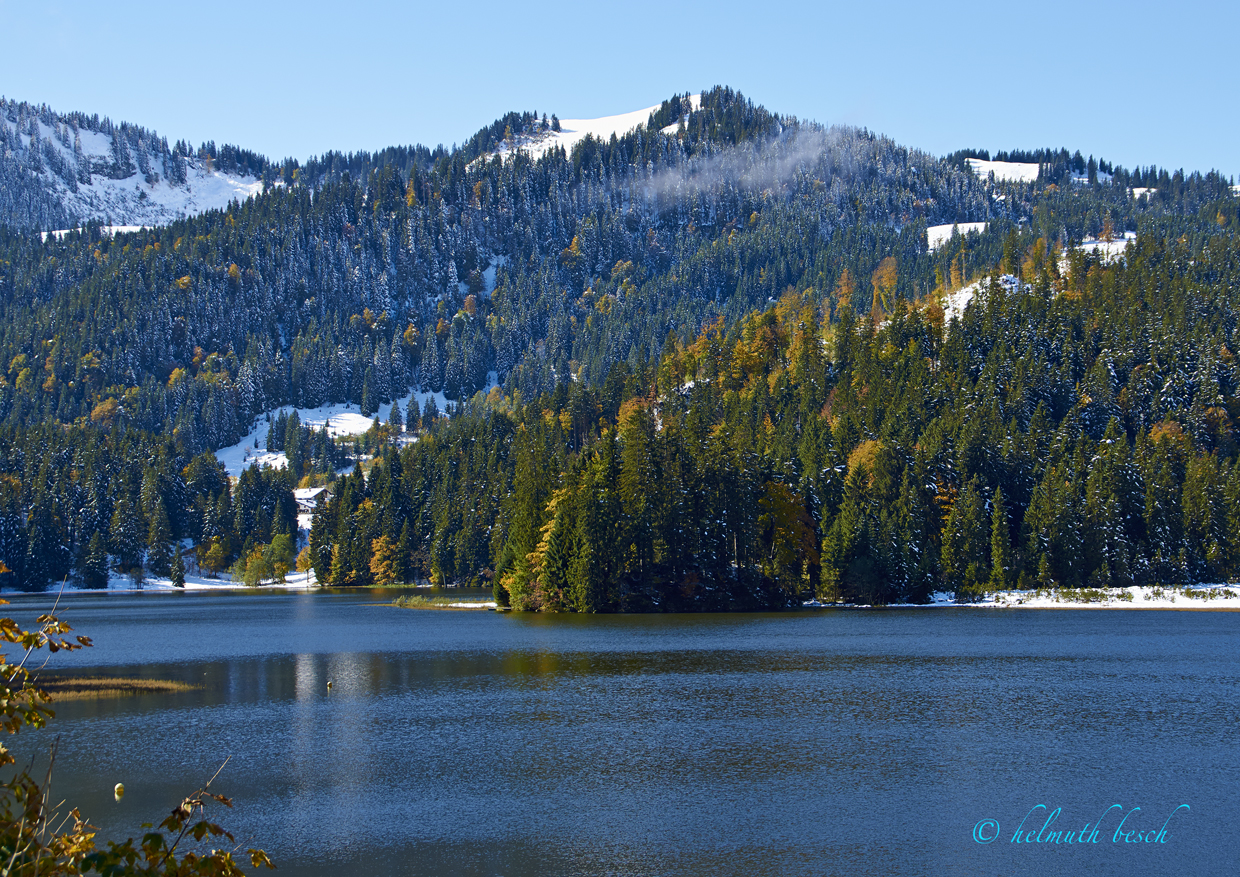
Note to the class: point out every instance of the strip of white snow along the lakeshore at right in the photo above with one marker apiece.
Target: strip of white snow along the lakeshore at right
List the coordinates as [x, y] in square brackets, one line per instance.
[1208, 597]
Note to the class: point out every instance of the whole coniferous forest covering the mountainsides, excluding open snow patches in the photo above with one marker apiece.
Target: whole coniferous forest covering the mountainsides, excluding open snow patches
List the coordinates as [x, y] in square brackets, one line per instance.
[724, 373]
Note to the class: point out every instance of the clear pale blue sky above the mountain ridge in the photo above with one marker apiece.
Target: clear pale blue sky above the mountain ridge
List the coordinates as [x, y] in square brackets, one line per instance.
[1134, 82]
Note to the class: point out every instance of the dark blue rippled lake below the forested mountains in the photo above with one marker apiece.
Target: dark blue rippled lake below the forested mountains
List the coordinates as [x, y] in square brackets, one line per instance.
[833, 742]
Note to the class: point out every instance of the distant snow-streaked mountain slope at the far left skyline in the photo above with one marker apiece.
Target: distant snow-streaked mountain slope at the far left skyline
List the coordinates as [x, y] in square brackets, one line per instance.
[59, 171]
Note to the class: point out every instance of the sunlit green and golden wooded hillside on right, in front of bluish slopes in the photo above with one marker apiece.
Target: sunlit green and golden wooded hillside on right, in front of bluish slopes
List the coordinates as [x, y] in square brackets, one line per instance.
[1074, 430]
